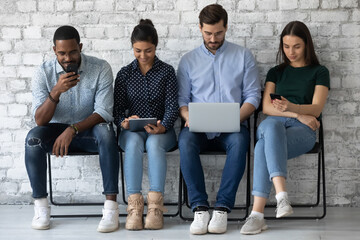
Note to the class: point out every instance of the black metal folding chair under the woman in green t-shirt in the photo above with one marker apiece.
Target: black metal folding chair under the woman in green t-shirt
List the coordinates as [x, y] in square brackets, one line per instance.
[319, 150]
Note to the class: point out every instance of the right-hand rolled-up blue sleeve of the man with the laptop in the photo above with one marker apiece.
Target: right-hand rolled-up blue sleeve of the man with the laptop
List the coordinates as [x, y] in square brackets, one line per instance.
[251, 92]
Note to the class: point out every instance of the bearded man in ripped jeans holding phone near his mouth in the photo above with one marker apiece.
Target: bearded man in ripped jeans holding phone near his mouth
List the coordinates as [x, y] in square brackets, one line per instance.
[73, 112]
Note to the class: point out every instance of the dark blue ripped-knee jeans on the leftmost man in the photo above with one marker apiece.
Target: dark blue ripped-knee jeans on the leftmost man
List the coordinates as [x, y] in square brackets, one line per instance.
[101, 138]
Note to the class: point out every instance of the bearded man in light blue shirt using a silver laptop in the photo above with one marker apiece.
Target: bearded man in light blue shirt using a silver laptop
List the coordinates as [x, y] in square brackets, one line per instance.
[217, 71]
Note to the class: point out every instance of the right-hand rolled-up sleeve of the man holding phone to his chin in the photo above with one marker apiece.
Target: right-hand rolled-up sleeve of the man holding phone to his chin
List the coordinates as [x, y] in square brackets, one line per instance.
[104, 100]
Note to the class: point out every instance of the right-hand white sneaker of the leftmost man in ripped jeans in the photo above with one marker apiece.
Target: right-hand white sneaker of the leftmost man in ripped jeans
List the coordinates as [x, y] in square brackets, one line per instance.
[110, 220]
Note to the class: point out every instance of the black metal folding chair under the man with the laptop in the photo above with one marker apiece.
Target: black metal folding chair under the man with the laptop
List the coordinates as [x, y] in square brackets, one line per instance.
[183, 197]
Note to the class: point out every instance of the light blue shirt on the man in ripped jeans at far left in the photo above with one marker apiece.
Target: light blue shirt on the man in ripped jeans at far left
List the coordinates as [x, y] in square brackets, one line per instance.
[93, 94]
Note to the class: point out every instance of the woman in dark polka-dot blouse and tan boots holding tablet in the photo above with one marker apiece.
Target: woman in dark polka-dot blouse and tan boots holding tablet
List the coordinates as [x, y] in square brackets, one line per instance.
[146, 88]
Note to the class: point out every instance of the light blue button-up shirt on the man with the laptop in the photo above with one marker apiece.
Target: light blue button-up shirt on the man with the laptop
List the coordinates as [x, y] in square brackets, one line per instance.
[231, 75]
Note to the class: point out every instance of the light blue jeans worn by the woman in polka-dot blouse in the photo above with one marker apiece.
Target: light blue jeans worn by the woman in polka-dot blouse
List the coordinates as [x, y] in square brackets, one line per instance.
[156, 146]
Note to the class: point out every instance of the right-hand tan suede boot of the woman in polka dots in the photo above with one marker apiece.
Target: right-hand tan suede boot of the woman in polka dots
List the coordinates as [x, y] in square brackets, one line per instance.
[154, 218]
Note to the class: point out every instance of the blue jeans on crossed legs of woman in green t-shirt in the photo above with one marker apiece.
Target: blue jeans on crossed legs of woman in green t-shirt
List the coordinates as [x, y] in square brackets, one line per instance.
[278, 139]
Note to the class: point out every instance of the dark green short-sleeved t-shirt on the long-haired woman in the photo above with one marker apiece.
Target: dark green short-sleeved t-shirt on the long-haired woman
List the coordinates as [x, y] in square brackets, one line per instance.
[298, 84]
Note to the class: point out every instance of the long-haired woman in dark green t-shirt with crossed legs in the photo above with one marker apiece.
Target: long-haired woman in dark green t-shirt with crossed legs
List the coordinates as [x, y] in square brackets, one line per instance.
[289, 130]
